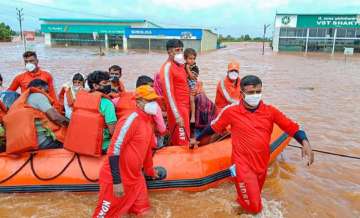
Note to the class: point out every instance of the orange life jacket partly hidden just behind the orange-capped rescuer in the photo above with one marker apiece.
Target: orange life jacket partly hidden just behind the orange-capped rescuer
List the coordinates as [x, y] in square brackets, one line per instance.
[125, 104]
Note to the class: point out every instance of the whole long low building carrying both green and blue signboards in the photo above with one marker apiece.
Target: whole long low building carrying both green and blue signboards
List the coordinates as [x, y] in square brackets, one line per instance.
[125, 34]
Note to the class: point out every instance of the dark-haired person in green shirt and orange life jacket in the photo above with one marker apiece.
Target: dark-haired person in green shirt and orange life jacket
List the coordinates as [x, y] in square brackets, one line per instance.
[93, 110]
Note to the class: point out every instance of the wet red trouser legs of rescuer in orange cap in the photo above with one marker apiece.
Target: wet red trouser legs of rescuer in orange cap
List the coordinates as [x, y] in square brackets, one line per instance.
[135, 200]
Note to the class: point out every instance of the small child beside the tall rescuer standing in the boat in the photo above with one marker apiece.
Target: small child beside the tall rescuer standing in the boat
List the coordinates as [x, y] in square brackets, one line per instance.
[193, 72]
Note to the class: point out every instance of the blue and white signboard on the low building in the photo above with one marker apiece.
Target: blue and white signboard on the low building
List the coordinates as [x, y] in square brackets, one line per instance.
[160, 33]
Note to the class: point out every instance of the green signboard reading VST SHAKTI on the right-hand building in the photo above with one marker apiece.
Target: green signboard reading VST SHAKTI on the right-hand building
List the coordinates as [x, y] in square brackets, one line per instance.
[328, 21]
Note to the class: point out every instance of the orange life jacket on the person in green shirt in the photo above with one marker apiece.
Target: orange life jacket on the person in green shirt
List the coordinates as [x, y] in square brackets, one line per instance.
[85, 131]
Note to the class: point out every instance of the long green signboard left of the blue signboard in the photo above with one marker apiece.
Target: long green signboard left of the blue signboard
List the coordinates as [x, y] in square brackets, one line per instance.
[65, 28]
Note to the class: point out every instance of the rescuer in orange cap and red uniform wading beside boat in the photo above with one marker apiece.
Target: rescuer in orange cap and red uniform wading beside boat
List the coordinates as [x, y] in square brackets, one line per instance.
[122, 184]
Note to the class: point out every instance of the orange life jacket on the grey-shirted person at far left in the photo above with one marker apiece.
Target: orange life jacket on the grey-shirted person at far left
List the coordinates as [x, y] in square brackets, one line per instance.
[19, 122]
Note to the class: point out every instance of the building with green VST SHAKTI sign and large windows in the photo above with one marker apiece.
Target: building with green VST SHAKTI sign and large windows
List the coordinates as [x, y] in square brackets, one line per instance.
[316, 32]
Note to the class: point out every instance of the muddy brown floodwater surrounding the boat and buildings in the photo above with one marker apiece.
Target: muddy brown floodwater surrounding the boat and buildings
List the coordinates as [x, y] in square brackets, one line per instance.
[319, 91]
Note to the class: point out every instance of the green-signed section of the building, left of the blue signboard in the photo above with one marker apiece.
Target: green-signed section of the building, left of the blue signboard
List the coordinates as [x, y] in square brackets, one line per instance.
[88, 32]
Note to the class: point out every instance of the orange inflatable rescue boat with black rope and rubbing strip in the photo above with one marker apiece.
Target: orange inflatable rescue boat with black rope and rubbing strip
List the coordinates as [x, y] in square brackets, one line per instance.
[62, 170]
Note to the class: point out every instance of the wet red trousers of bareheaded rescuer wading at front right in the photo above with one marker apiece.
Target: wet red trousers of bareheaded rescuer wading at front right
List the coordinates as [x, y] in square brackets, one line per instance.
[248, 186]
